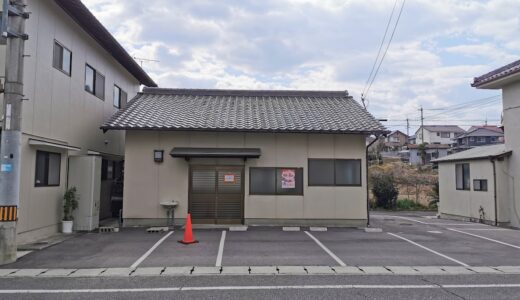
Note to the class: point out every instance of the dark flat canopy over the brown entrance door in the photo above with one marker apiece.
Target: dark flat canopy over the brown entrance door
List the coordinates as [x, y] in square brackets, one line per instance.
[215, 152]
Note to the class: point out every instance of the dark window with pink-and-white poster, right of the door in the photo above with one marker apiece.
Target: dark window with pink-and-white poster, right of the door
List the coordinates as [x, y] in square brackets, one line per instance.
[276, 181]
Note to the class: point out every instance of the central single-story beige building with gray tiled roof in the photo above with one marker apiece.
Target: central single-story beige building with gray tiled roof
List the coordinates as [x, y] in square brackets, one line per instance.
[248, 157]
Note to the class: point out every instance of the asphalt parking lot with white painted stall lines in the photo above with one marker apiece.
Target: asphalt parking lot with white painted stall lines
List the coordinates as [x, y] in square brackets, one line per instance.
[405, 240]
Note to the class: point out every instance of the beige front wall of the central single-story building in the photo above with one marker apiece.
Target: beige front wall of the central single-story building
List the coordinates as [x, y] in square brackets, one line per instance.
[148, 183]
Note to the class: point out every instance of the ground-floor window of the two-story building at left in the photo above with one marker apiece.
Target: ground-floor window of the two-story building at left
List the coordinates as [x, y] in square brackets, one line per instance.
[47, 169]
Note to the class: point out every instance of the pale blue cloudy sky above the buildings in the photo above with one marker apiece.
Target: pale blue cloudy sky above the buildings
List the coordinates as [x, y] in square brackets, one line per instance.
[439, 46]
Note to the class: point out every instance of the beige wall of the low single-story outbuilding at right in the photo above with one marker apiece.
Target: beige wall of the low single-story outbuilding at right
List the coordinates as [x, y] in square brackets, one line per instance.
[466, 203]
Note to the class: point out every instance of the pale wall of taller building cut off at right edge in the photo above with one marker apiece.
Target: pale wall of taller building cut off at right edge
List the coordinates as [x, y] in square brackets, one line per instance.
[511, 104]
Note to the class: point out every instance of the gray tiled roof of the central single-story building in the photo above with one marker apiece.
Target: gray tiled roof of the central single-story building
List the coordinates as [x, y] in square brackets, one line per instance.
[245, 110]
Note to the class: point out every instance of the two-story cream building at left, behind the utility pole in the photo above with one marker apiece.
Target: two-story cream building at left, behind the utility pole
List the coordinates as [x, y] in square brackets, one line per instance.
[76, 75]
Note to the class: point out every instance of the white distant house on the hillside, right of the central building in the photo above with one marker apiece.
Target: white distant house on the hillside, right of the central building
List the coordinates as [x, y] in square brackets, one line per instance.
[438, 134]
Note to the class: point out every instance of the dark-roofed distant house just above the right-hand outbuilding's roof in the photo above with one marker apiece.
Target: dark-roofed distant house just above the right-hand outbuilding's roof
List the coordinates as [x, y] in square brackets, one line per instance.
[479, 136]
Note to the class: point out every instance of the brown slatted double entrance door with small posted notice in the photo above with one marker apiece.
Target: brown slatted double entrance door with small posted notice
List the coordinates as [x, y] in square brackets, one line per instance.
[216, 194]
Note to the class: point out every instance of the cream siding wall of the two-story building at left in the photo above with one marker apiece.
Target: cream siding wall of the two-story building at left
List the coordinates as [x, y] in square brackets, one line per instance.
[59, 109]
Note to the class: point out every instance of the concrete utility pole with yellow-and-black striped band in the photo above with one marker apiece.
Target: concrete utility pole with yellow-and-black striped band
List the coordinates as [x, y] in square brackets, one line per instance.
[13, 30]
